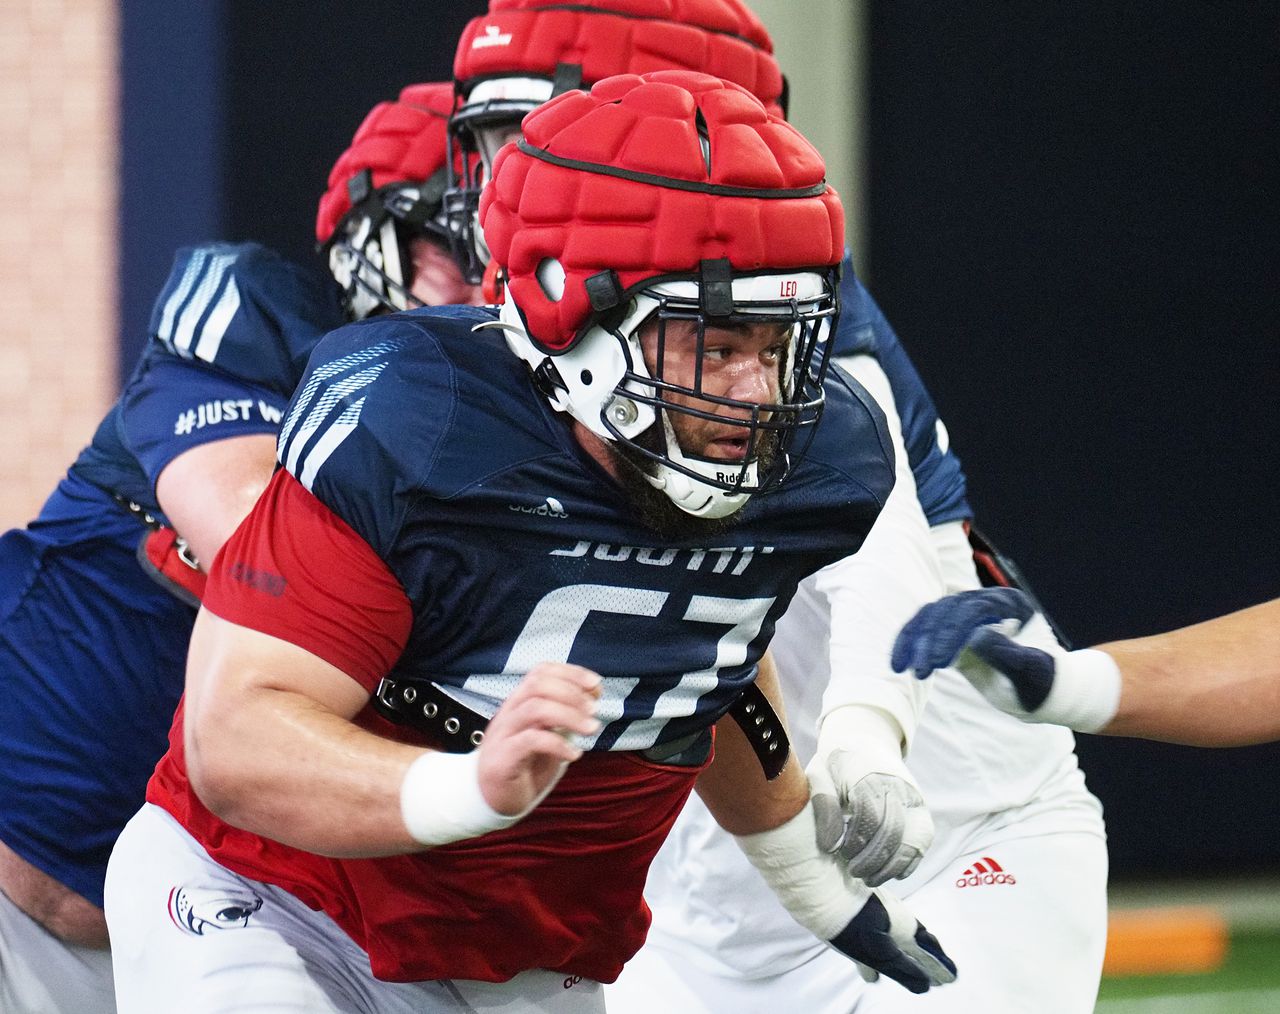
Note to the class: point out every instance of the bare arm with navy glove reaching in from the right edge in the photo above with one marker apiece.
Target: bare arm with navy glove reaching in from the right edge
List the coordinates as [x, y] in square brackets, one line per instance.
[1212, 684]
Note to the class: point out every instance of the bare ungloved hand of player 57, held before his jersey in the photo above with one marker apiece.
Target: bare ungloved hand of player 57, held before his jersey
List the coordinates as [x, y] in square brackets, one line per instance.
[532, 739]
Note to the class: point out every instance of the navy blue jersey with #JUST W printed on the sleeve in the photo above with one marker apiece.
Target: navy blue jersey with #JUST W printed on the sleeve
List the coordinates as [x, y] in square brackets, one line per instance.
[92, 650]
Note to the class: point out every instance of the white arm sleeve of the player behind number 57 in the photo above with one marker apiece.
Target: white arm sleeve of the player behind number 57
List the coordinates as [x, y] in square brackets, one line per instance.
[874, 593]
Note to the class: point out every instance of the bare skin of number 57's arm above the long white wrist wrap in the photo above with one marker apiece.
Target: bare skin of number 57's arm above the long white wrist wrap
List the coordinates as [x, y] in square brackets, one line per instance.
[734, 787]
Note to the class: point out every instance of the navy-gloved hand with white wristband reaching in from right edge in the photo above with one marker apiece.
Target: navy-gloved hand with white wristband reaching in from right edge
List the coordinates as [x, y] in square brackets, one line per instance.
[1007, 650]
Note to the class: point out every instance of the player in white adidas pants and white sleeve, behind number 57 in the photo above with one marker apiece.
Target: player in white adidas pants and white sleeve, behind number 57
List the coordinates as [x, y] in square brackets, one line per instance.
[998, 792]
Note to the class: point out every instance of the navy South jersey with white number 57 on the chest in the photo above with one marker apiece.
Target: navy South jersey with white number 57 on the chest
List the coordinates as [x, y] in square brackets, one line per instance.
[515, 547]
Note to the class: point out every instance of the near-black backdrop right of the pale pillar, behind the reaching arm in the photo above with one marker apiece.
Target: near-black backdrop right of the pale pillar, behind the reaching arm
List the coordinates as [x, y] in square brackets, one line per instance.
[1075, 229]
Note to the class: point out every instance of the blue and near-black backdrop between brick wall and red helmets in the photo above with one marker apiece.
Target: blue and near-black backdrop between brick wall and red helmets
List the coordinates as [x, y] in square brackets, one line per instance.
[235, 111]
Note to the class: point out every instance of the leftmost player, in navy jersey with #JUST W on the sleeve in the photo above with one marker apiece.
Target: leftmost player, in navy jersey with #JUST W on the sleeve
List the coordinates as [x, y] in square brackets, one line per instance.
[98, 595]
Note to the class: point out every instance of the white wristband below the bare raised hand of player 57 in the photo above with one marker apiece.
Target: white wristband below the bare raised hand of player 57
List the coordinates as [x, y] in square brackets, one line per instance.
[441, 801]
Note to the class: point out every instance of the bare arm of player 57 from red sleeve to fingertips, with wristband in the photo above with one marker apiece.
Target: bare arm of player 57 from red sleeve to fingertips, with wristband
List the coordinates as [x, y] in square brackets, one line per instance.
[273, 746]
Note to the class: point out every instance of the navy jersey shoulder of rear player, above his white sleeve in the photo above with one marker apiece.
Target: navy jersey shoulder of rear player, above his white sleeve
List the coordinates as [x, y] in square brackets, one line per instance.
[865, 331]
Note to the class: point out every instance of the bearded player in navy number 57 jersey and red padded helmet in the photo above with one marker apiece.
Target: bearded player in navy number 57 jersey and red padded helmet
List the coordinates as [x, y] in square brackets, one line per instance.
[459, 670]
